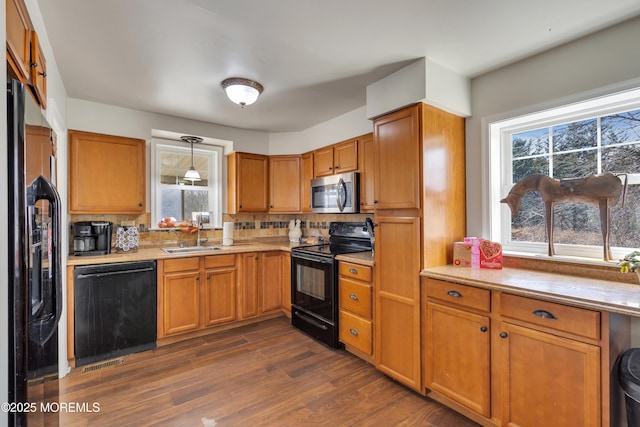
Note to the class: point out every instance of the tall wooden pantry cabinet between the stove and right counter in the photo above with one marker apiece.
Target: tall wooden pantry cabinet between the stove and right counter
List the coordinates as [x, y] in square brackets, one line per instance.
[419, 212]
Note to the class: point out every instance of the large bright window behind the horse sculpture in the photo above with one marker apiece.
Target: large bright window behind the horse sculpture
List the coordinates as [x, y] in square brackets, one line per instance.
[587, 138]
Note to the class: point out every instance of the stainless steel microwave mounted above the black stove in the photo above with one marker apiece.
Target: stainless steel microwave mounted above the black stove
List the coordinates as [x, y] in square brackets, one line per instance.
[336, 193]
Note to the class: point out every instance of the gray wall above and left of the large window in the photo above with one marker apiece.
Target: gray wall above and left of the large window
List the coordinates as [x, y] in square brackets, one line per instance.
[602, 63]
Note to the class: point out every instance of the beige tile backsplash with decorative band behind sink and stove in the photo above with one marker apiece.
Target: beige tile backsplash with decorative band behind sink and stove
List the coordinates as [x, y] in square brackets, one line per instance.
[246, 226]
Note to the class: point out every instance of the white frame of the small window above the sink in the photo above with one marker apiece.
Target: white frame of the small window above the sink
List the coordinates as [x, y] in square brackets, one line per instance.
[215, 173]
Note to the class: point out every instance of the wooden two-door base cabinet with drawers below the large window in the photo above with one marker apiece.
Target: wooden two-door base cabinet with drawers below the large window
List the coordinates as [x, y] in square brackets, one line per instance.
[506, 360]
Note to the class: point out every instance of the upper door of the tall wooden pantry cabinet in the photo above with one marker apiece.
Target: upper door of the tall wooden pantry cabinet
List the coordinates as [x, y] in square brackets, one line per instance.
[396, 136]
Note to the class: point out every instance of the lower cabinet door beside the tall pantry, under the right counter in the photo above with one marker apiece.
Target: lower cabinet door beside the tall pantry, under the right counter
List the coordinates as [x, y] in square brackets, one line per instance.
[458, 356]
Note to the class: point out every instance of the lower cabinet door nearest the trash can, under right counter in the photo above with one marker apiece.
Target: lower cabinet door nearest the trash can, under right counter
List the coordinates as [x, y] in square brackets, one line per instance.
[559, 377]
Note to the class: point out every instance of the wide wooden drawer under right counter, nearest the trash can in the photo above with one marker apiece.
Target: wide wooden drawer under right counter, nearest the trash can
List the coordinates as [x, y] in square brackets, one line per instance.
[578, 321]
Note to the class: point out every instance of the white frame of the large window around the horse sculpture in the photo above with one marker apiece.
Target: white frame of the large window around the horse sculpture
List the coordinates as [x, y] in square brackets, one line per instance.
[500, 163]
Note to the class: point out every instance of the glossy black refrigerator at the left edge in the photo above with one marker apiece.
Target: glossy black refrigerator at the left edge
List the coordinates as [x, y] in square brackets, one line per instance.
[35, 294]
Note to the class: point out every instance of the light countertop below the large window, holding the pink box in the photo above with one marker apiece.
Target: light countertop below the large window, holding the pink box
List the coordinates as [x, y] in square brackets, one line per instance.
[586, 292]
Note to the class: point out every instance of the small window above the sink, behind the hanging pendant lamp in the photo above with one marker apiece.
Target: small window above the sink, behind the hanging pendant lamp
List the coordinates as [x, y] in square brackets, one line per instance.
[172, 195]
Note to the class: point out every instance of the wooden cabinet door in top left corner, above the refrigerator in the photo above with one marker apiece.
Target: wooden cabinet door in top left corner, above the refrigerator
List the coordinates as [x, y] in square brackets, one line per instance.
[18, 38]
